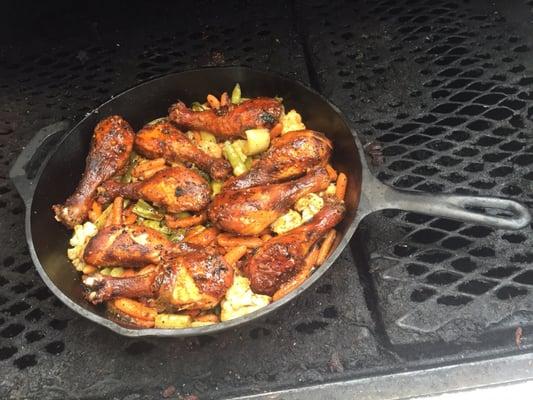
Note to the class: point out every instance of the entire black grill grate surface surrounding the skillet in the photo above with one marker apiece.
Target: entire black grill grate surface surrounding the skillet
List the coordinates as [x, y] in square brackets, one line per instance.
[446, 88]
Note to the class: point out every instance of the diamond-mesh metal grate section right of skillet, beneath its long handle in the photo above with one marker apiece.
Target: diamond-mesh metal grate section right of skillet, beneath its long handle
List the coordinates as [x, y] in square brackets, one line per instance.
[454, 84]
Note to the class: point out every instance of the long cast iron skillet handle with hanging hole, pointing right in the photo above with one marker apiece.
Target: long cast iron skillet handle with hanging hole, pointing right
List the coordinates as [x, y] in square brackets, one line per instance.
[490, 211]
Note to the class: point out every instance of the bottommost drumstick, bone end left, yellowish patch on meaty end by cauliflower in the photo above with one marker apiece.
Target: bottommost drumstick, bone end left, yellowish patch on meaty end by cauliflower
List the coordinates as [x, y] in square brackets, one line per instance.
[195, 279]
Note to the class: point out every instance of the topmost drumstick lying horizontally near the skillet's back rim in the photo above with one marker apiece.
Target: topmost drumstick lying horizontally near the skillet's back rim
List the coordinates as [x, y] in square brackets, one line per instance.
[229, 121]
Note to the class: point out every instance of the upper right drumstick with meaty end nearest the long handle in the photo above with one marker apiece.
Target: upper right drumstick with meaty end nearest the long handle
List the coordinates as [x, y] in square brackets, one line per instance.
[289, 156]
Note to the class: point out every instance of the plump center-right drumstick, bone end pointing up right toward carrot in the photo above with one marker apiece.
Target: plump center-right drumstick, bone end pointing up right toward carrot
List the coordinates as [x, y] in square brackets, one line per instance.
[250, 211]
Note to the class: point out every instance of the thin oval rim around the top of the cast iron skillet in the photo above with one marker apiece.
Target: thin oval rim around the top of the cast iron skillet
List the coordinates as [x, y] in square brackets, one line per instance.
[221, 326]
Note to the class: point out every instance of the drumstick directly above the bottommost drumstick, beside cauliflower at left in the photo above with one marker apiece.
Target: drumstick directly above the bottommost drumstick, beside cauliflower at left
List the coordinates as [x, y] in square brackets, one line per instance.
[132, 246]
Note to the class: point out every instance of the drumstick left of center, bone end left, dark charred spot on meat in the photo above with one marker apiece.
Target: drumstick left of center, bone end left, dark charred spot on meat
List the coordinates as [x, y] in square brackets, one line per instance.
[176, 189]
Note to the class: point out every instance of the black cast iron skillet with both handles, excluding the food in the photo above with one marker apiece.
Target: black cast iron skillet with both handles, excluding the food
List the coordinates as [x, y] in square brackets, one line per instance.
[61, 171]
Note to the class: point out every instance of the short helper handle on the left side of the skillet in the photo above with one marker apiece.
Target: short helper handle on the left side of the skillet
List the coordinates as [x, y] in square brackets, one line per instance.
[22, 172]
